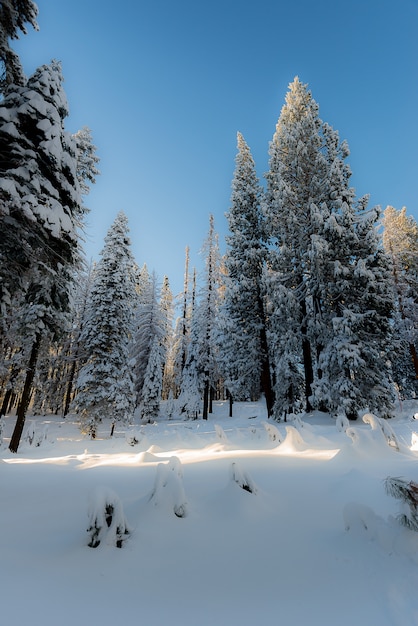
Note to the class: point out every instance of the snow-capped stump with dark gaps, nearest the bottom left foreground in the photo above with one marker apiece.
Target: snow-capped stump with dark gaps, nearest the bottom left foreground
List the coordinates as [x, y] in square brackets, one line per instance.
[107, 520]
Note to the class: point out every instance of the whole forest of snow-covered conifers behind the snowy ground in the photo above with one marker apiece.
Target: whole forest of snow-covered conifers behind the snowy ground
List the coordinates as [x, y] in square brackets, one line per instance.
[313, 306]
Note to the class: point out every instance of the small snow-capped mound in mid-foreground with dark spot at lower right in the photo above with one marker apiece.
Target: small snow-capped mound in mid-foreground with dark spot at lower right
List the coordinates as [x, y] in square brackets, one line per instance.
[168, 488]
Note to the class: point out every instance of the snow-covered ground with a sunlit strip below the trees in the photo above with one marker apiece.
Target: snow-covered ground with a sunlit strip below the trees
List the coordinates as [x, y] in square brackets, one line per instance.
[310, 540]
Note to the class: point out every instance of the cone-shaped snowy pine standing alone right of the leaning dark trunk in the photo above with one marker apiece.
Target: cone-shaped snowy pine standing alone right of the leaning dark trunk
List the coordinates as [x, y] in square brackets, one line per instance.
[104, 384]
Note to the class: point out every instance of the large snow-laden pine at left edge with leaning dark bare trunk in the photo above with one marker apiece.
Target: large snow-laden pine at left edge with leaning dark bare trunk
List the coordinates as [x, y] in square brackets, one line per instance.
[41, 212]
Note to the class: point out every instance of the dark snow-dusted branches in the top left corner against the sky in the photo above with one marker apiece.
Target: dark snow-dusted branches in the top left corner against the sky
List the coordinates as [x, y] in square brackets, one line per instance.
[14, 15]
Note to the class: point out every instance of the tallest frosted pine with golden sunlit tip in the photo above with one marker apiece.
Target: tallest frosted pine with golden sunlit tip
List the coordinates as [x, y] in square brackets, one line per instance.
[296, 181]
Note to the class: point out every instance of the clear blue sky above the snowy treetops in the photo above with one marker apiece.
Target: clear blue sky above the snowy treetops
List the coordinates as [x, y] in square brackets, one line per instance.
[165, 85]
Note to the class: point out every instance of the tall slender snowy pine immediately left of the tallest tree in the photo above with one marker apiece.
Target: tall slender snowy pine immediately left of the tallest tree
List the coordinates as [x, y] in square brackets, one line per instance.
[243, 346]
